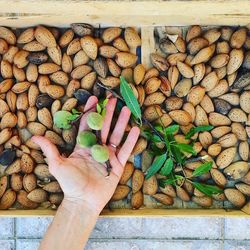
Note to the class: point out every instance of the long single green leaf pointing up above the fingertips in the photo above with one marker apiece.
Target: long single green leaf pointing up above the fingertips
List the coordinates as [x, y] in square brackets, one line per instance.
[130, 99]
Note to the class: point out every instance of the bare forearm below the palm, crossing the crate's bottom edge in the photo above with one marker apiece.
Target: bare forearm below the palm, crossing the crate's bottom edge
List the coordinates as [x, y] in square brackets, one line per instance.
[71, 227]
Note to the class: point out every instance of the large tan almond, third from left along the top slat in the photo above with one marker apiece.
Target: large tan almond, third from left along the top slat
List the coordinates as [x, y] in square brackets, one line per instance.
[45, 37]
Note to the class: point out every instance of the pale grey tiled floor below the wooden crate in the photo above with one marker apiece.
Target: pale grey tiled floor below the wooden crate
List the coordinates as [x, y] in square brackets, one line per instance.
[138, 233]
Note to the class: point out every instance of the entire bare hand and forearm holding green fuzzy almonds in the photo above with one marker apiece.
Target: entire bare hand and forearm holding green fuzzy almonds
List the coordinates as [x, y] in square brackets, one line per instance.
[85, 184]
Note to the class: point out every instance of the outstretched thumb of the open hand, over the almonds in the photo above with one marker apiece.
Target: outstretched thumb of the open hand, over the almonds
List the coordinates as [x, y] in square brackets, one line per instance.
[48, 148]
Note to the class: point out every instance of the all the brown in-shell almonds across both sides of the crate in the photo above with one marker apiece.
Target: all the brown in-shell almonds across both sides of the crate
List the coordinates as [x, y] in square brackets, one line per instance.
[200, 78]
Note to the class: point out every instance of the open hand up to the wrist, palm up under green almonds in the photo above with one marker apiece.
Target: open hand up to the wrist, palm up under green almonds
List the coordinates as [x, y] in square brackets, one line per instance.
[83, 180]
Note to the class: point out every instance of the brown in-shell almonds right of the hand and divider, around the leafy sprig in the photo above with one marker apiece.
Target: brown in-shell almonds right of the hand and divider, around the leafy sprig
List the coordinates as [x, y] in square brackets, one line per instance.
[200, 78]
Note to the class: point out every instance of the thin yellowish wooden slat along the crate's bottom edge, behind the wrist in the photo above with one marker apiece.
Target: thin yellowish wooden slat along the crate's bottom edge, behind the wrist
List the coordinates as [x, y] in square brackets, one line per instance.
[138, 213]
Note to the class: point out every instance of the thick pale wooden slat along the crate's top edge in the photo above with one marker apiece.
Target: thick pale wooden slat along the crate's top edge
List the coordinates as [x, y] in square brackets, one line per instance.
[137, 13]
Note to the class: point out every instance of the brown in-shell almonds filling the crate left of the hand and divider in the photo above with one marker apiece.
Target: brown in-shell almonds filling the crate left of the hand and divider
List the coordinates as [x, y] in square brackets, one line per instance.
[44, 70]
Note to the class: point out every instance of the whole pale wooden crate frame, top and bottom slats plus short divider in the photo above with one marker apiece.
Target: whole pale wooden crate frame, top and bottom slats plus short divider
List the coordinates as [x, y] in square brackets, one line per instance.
[144, 14]
